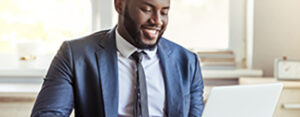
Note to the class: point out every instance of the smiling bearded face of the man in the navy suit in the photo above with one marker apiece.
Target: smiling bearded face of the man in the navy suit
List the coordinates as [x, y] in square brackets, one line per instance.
[143, 22]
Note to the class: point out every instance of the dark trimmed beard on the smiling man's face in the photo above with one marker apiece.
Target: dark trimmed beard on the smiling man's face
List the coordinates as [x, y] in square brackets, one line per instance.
[133, 31]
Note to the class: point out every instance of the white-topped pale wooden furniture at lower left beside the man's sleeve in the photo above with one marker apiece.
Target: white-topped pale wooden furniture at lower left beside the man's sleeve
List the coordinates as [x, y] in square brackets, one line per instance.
[17, 99]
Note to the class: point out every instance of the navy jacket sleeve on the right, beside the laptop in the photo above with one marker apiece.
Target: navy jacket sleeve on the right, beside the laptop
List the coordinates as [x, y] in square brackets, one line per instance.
[197, 104]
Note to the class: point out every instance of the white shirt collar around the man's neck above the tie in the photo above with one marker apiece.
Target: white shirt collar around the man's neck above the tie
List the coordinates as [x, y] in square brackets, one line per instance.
[126, 49]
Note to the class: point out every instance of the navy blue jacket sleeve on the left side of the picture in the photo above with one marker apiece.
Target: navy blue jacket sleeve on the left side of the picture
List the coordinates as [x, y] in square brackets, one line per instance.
[56, 98]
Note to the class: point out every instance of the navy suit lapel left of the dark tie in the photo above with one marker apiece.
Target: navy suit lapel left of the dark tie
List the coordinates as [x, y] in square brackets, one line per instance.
[108, 71]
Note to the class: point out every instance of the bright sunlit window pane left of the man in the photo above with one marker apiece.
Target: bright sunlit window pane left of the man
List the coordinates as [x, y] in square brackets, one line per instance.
[25, 24]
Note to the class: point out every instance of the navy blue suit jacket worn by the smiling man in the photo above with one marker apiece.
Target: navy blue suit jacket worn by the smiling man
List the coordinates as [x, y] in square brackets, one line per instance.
[84, 75]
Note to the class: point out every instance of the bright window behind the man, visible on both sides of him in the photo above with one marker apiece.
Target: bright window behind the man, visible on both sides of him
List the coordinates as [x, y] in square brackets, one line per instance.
[195, 24]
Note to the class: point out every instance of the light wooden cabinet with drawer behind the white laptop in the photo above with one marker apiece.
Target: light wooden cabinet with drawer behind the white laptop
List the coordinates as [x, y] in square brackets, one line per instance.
[289, 101]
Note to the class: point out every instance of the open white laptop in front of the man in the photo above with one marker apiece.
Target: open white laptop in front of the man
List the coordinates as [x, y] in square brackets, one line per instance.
[243, 101]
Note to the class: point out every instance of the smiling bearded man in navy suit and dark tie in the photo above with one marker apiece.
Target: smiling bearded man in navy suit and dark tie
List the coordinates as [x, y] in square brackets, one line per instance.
[102, 74]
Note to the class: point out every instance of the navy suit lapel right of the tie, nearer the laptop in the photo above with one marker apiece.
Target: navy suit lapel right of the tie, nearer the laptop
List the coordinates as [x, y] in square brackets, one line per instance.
[172, 82]
